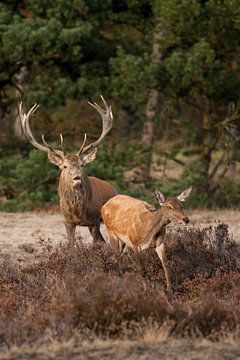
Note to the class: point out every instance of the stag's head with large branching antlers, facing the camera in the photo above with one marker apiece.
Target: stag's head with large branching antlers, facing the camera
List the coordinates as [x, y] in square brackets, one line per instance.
[72, 166]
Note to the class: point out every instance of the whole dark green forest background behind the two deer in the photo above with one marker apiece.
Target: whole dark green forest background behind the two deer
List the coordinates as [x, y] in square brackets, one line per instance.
[170, 69]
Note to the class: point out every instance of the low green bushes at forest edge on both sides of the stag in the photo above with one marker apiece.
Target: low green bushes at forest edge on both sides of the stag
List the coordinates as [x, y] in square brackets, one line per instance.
[31, 182]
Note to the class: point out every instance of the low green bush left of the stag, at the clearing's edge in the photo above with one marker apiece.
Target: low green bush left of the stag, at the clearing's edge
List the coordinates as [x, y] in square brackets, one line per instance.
[27, 183]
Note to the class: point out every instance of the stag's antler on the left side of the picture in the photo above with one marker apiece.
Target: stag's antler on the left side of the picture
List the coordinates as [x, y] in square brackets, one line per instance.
[24, 118]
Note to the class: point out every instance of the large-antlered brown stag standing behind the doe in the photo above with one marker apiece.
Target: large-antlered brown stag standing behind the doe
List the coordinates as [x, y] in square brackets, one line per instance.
[81, 196]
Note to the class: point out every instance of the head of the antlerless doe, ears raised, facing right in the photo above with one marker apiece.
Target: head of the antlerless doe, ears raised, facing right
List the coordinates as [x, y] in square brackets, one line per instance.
[172, 208]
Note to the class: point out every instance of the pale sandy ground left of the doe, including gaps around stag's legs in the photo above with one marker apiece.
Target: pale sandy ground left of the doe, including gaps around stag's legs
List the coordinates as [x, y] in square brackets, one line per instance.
[30, 228]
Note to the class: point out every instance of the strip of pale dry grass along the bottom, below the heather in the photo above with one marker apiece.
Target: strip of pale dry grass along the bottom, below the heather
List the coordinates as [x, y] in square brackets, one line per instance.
[141, 350]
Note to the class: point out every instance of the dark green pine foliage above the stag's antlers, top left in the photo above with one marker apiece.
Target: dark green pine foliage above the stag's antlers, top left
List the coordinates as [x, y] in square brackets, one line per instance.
[60, 46]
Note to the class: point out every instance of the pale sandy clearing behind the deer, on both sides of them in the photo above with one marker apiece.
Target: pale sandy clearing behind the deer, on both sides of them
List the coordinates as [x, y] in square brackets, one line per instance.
[29, 228]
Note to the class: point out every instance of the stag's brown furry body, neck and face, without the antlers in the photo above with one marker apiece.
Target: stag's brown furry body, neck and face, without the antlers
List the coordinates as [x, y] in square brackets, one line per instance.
[81, 201]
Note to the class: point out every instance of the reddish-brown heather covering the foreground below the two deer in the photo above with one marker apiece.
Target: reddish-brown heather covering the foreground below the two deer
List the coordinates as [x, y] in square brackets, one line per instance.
[93, 293]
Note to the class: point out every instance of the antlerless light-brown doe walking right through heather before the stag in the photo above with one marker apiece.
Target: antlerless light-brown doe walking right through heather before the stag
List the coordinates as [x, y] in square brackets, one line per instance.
[138, 225]
